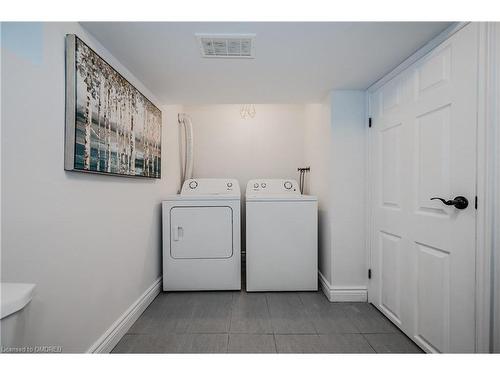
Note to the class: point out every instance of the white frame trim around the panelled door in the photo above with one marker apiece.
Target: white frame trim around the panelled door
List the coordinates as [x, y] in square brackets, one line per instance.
[489, 36]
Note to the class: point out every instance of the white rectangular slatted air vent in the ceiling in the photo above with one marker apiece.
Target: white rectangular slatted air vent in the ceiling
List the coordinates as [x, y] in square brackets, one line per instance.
[236, 46]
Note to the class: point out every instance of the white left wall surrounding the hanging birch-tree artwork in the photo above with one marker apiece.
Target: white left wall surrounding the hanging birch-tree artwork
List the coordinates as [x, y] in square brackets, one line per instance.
[90, 243]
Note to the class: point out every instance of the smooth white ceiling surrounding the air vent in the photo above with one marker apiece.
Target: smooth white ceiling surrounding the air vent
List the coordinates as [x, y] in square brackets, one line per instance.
[295, 62]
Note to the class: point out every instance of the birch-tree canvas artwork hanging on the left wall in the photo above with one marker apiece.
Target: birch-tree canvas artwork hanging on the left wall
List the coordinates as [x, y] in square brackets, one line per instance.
[111, 128]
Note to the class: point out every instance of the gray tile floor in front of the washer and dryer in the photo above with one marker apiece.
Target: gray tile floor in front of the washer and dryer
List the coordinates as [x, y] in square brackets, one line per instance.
[240, 322]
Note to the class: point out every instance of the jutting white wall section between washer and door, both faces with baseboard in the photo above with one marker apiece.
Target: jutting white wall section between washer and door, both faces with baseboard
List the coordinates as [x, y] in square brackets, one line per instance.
[335, 150]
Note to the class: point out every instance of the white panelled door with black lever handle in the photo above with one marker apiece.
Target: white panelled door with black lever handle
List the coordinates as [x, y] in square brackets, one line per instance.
[423, 145]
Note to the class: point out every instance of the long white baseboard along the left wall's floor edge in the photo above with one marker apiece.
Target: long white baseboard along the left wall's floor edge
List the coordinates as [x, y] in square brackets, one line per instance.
[110, 338]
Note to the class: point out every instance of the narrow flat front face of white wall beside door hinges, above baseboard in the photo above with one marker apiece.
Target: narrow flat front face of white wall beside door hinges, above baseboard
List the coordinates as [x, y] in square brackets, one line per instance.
[348, 189]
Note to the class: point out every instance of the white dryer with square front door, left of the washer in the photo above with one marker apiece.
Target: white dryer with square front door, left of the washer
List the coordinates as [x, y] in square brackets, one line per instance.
[201, 236]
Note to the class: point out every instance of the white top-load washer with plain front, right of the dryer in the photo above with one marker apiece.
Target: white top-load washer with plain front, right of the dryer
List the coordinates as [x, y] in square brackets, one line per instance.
[281, 237]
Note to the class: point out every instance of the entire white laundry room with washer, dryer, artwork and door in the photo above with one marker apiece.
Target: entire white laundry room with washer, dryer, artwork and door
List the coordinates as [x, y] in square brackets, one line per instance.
[203, 187]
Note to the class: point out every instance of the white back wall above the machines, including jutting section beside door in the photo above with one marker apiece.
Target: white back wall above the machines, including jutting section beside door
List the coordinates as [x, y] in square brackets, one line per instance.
[328, 136]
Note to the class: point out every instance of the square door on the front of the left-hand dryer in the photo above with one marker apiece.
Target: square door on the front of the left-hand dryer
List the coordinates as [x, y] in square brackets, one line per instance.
[201, 232]
